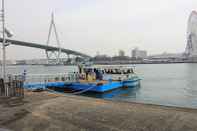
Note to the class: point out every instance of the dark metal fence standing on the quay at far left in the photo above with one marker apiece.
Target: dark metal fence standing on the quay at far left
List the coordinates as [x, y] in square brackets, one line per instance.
[12, 86]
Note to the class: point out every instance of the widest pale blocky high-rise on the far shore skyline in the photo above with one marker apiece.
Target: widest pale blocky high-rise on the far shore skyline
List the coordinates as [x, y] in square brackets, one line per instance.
[136, 53]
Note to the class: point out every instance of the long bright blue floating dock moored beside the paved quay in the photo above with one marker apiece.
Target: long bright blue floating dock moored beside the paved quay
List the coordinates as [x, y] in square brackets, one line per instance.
[86, 86]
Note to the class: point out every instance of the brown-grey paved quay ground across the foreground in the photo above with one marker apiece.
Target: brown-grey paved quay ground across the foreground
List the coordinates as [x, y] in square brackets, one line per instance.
[44, 111]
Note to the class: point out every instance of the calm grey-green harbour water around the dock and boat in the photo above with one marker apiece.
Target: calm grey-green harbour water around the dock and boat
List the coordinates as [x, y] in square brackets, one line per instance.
[163, 84]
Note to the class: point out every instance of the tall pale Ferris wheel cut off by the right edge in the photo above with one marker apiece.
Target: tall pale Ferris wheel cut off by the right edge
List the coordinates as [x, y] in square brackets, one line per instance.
[191, 48]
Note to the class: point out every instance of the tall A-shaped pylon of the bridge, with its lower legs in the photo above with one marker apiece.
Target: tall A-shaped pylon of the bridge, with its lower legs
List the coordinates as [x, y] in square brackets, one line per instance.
[53, 56]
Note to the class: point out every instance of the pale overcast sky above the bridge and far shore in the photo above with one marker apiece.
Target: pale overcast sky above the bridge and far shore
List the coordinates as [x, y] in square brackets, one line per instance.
[100, 25]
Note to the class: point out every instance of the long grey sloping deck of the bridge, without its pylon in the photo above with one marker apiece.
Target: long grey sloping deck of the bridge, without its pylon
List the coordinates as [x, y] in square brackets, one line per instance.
[46, 47]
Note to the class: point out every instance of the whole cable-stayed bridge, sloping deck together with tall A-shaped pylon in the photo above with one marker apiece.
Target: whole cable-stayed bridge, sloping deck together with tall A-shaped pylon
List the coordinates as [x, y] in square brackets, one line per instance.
[53, 53]
